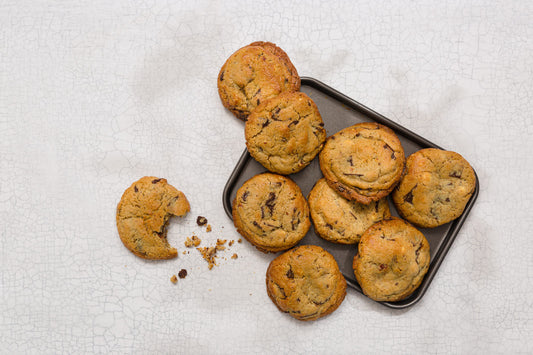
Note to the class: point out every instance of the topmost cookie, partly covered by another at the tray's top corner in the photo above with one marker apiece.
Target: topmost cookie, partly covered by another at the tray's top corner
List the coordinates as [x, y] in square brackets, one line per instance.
[253, 74]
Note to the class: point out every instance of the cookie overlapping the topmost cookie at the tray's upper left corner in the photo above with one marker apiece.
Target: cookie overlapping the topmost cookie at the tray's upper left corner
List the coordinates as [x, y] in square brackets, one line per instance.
[285, 133]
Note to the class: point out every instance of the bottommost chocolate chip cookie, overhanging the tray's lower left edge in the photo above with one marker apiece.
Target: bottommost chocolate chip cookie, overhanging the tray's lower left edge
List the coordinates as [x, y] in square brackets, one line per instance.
[305, 282]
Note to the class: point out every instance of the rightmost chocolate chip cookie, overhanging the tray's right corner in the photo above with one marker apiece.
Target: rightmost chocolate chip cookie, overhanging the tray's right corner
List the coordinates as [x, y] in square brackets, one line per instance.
[435, 189]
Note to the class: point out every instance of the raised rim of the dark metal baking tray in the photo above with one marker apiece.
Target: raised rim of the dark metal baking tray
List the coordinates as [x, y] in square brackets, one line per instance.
[351, 103]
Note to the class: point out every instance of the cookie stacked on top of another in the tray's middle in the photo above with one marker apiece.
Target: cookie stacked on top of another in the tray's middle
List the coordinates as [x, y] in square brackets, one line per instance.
[363, 162]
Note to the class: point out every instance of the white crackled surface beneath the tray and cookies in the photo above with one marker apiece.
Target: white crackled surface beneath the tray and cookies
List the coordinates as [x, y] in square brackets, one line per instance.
[96, 94]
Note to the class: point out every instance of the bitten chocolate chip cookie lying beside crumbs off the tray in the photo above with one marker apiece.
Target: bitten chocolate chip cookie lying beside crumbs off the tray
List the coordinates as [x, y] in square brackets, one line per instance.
[143, 213]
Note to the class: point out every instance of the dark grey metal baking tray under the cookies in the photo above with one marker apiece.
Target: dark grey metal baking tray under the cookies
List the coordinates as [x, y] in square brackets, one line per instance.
[339, 111]
